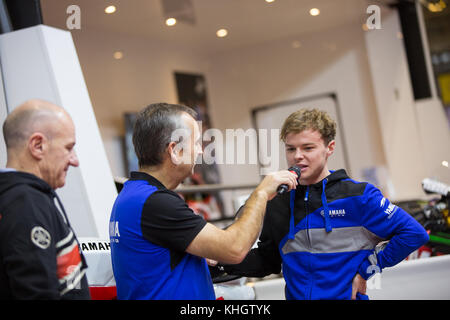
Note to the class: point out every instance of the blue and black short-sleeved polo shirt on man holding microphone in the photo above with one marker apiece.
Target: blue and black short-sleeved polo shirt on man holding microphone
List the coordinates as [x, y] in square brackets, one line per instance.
[150, 229]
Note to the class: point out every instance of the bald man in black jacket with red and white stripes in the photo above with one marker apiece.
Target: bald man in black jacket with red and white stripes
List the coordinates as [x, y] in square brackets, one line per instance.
[39, 252]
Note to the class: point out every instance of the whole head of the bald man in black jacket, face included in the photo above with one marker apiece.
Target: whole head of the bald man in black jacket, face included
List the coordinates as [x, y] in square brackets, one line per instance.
[40, 139]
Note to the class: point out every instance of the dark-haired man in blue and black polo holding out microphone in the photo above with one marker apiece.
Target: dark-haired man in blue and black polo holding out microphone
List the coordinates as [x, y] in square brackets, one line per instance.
[158, 244]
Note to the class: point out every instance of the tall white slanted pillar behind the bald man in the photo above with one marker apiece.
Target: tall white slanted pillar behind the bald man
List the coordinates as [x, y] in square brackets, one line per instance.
[41, 62]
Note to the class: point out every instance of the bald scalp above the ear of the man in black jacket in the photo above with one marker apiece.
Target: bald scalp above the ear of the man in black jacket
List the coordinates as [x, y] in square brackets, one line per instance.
[30, 117]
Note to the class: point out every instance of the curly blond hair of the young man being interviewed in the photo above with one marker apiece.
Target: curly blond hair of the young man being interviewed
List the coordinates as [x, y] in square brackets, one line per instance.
[305, 119]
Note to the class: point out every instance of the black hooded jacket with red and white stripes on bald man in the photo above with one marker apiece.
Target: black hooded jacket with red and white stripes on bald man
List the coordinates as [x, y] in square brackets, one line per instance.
[39, 252]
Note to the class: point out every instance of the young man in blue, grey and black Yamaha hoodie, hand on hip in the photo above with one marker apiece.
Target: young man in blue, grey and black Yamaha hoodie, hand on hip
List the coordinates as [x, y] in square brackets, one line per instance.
[329, 234]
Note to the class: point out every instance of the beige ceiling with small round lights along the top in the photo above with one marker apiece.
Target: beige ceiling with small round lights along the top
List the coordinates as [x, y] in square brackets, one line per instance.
[248, 21]
